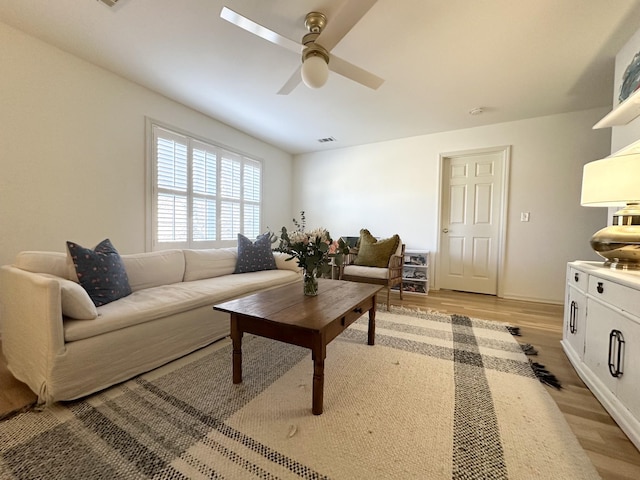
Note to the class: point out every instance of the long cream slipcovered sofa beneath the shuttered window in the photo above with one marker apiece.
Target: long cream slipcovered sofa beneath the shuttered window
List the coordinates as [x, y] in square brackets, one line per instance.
[52, 343]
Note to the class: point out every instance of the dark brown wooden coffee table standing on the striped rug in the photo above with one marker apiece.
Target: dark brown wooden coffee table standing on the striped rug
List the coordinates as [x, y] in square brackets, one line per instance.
[287, 315]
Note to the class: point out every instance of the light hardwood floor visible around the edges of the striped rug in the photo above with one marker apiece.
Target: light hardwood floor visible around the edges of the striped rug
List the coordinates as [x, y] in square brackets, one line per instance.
[610, 450]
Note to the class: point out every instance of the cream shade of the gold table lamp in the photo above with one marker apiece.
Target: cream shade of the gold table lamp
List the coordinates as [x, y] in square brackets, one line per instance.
[612, 181]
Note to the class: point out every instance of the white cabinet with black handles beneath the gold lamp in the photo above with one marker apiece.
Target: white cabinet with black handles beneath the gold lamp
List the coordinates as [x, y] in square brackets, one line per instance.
[601, 337]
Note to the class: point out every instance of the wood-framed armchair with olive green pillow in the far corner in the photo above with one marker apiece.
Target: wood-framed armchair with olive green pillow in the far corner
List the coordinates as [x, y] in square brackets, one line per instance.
[360, 267]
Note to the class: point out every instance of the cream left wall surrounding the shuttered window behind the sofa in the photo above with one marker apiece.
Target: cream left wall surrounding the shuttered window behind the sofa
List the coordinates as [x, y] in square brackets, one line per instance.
[72, 151]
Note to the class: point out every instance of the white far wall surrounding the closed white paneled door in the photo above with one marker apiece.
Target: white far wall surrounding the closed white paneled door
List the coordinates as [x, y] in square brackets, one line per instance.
[393, 187]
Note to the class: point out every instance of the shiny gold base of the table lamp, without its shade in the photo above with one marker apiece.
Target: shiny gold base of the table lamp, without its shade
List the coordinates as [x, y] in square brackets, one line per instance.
[619, 243]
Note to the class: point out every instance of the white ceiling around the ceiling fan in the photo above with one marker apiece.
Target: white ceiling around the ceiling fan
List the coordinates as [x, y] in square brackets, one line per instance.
[515, 58]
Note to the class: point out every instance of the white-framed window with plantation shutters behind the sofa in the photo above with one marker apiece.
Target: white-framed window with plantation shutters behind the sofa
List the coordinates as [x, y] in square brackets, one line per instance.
[202, 193]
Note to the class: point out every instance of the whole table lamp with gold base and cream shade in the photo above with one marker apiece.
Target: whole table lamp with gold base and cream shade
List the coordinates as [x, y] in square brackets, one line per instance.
[612, 182]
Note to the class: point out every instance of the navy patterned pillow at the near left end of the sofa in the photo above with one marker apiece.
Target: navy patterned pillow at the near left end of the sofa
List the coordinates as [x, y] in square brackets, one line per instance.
[100, 271]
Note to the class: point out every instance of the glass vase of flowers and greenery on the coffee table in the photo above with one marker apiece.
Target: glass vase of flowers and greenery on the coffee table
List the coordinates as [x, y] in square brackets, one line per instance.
[313, 250]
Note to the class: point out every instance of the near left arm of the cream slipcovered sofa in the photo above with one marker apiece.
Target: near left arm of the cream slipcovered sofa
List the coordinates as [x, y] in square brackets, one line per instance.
[32, 330]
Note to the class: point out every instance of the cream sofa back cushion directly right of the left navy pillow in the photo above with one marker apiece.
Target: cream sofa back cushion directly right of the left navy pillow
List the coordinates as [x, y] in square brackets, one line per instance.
[152, 269]
